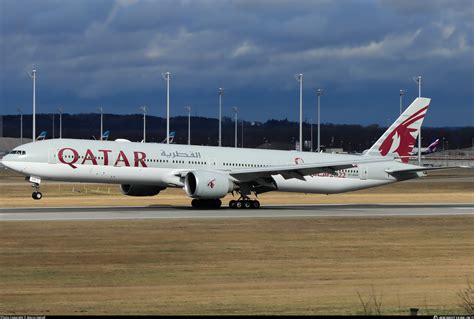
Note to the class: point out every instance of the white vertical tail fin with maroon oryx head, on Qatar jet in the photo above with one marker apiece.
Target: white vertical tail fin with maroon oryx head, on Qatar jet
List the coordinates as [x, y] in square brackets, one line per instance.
[400, 138]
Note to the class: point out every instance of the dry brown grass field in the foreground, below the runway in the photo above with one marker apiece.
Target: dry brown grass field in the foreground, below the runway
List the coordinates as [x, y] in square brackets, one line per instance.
[247, 266]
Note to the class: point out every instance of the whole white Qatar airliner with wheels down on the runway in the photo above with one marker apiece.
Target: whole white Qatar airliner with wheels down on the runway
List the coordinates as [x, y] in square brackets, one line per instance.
[208, 173]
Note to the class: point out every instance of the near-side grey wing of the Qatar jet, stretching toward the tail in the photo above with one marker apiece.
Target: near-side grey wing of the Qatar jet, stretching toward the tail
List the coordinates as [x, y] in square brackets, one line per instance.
[297, 171]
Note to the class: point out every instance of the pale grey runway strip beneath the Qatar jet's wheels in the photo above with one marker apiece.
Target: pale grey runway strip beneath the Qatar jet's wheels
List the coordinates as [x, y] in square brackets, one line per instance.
[280, 211]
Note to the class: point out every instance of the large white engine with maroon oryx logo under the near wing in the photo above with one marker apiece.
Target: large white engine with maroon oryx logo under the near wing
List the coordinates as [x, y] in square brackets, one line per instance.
[207, 184]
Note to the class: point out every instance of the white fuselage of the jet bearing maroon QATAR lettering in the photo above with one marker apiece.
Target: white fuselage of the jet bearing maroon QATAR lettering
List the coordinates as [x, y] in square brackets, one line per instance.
[160, 164]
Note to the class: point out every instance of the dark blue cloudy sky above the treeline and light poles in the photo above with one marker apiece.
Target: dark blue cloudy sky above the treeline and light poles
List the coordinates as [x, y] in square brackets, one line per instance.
[112, 54]
